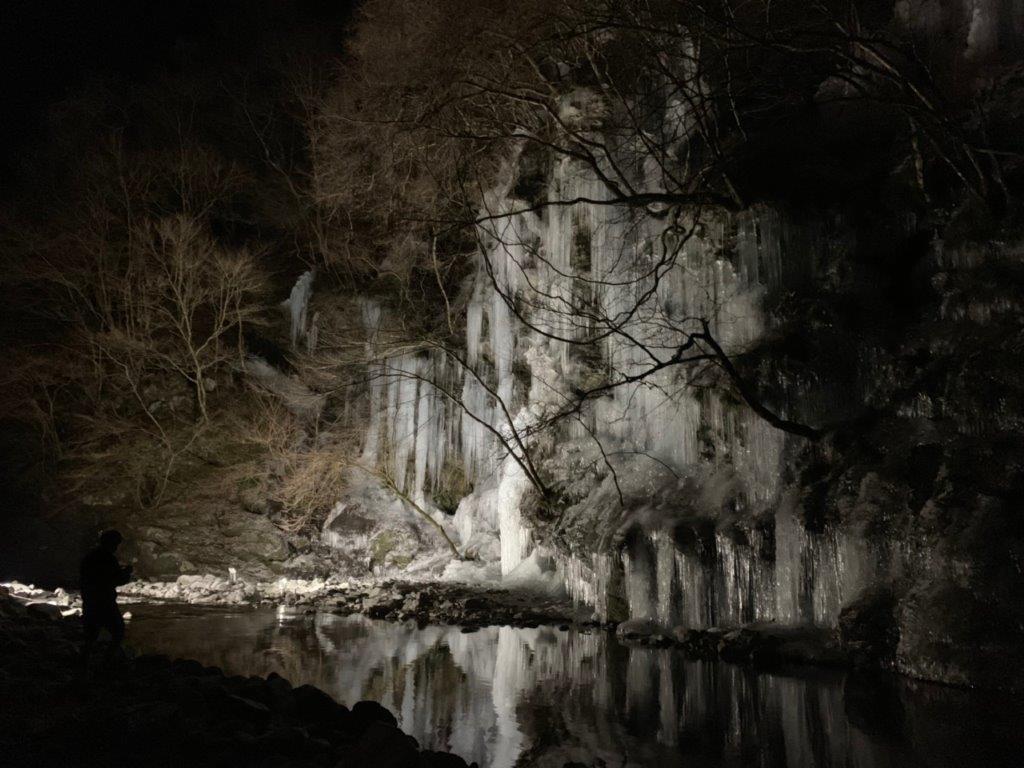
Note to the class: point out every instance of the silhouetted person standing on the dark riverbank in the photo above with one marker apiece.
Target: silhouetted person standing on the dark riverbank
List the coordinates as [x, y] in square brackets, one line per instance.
[101, 576]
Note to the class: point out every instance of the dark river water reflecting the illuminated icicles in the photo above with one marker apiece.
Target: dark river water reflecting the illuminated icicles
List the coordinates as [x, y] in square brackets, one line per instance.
[507, 697]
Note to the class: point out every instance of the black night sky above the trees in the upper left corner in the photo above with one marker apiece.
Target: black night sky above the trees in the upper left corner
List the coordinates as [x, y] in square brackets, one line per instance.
[50, 48]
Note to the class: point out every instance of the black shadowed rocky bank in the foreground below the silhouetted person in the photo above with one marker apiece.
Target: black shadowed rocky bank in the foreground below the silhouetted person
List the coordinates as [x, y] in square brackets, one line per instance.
[154, 711]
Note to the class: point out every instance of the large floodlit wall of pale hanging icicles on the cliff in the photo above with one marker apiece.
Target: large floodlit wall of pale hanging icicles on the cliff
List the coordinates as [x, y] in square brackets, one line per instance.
[571, 297]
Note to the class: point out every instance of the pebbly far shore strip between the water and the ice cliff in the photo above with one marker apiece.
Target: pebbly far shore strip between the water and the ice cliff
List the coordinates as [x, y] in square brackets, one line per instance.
[862, 641]
